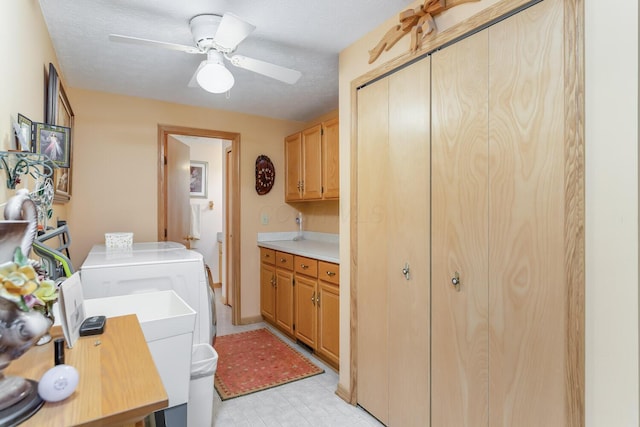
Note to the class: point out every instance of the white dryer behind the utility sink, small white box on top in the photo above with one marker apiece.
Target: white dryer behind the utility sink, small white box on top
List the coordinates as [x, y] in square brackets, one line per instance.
[151, 267]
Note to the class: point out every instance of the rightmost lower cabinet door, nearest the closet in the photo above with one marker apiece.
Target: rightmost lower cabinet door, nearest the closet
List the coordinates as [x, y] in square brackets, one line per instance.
[329, 322]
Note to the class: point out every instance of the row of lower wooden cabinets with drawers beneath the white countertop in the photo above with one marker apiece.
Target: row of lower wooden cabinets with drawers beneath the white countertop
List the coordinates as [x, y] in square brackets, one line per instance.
[301, 297]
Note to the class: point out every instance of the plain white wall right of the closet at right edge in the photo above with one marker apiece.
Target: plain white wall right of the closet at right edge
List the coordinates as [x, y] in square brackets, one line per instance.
[611, 125]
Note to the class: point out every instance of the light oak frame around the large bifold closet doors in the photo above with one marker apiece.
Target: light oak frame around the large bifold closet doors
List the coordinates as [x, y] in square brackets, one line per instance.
[574, 180]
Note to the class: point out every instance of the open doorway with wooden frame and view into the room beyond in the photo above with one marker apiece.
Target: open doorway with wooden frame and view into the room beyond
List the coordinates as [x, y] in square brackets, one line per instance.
[217, 153]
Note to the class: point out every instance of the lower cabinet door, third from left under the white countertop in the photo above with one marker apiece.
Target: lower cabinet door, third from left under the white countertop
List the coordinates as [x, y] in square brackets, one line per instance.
[306, 294]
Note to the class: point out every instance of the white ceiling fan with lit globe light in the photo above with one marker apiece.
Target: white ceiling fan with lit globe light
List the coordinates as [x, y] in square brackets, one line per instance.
[218, 37]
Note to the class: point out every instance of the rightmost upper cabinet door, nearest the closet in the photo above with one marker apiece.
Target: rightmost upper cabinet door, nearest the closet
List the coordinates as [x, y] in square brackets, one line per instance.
[330, 160]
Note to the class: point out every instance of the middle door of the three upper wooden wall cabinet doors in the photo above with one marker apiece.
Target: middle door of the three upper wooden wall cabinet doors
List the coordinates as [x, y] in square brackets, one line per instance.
[312, 163]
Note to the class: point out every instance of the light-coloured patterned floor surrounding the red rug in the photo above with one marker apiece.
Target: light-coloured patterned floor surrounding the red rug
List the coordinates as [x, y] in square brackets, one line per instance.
[308, 402]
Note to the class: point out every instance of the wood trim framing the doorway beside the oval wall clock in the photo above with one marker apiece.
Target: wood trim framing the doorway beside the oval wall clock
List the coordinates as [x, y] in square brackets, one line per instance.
[232, 203]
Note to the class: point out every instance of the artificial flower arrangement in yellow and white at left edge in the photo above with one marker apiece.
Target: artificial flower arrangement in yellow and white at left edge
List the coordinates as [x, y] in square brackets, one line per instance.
[21, 284]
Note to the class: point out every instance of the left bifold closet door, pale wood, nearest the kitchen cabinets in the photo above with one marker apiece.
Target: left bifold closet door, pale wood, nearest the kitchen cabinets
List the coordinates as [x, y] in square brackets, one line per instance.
[393, 269]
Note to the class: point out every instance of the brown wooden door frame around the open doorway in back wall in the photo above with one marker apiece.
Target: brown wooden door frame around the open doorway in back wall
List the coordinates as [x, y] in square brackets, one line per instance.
[163, 132]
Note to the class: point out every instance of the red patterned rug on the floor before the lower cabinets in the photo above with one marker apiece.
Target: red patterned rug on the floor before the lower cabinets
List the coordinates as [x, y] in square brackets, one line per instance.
[257, 360]
